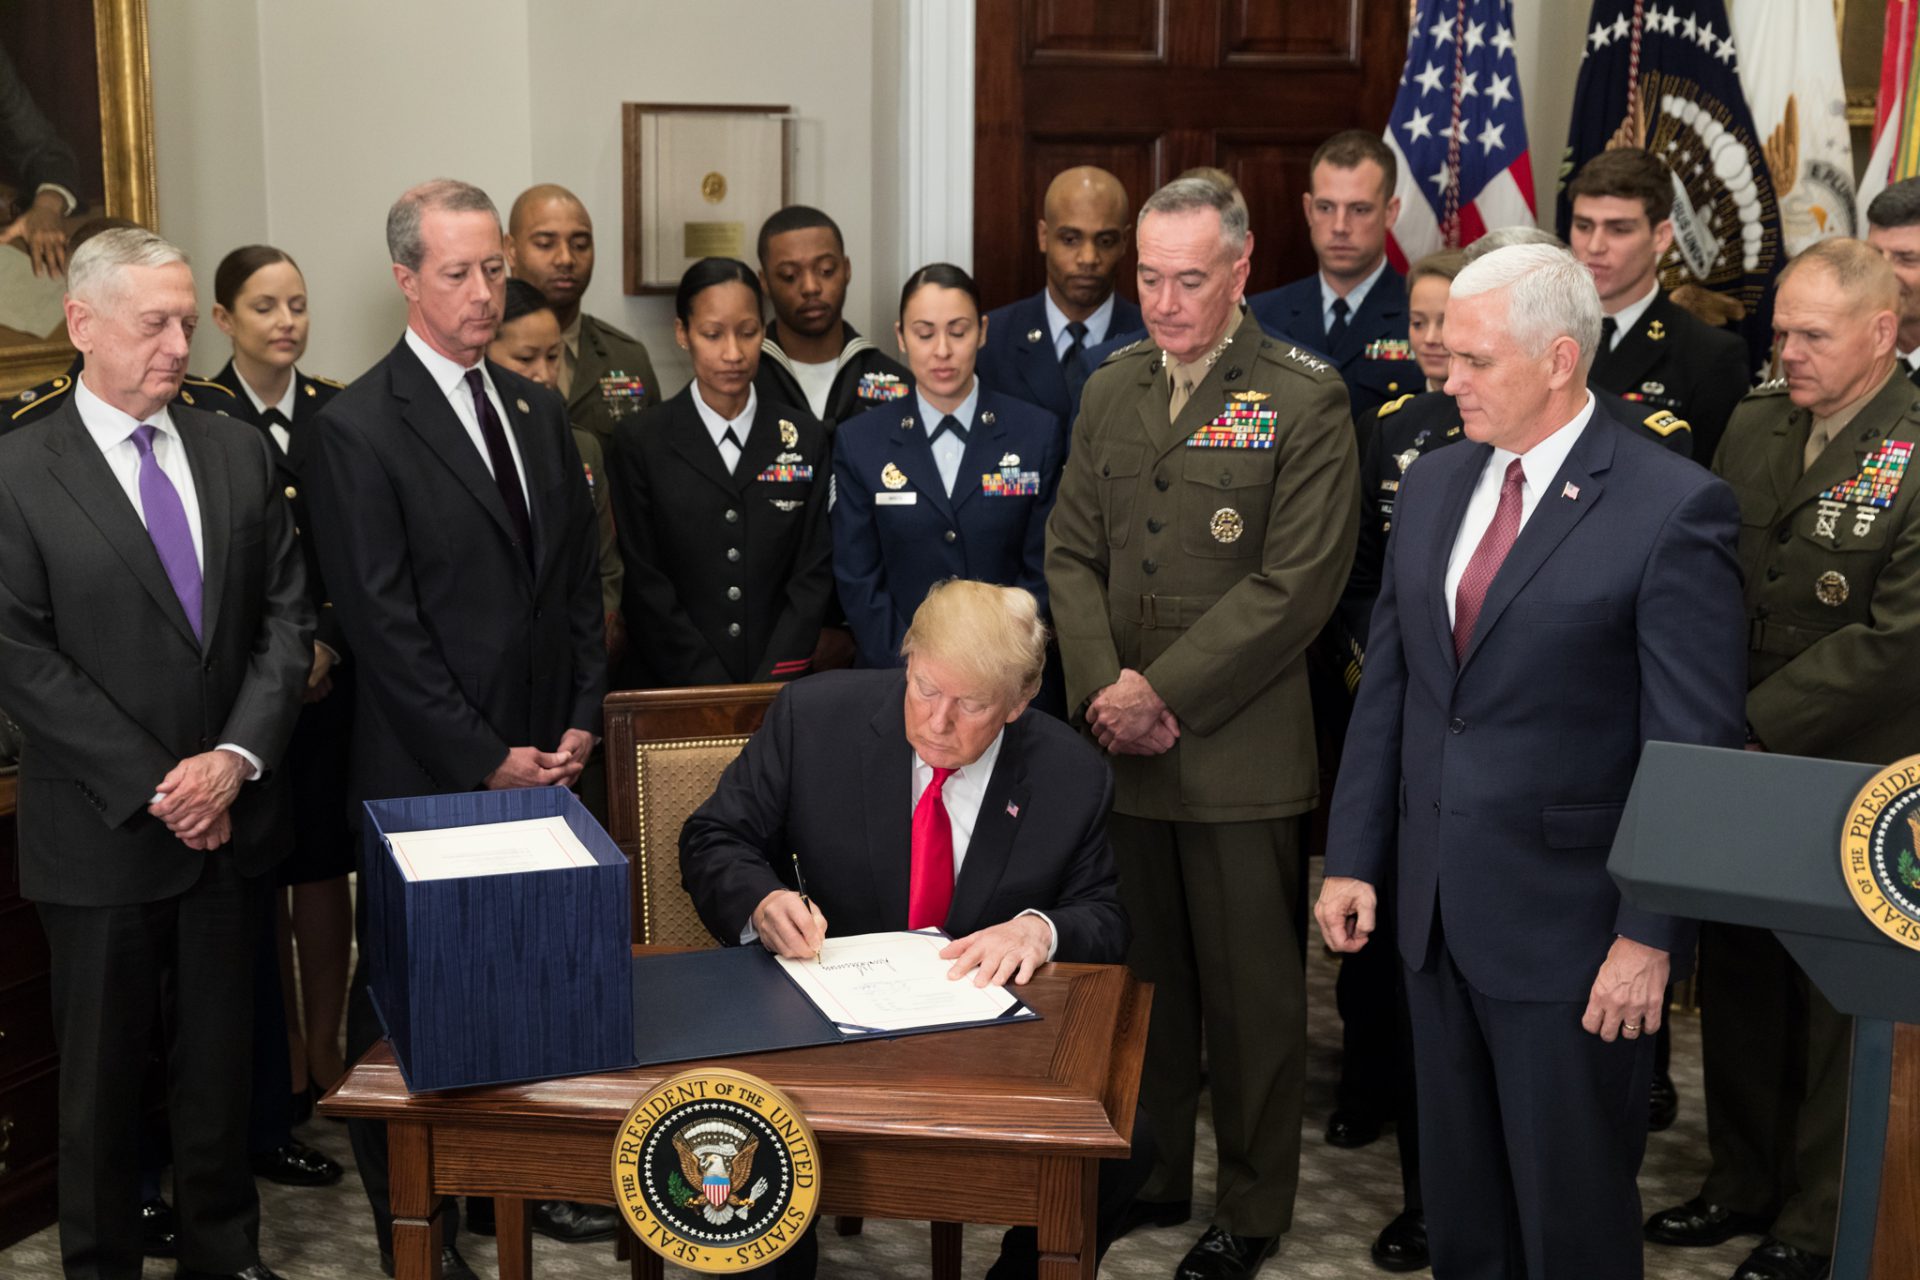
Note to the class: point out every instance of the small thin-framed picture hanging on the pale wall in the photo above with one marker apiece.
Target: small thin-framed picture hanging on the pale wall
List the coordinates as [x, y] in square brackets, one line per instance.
[700, 181]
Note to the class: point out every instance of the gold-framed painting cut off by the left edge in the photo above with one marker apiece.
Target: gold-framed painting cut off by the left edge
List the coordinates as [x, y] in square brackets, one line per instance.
[76, 114]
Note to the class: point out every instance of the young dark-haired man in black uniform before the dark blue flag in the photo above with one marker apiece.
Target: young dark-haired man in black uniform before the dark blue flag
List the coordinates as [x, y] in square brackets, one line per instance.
[1650, 348]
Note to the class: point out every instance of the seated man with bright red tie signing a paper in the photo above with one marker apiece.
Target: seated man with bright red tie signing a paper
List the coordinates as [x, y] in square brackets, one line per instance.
[978, 817]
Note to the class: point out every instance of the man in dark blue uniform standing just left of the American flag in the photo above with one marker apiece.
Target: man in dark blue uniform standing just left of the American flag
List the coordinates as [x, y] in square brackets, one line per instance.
[1355, 308]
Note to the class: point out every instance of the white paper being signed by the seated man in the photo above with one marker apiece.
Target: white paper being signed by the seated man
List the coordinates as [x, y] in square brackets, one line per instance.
[894, 982]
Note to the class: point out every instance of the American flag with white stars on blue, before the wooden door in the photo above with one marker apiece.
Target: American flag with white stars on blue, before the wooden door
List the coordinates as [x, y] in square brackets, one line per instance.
[1458, 130]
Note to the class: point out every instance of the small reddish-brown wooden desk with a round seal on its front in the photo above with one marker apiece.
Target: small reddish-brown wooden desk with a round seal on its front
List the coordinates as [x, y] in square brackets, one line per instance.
[986, 1126]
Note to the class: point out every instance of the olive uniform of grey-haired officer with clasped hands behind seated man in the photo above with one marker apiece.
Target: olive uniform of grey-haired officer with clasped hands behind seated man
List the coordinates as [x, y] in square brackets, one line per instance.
[1207, 556]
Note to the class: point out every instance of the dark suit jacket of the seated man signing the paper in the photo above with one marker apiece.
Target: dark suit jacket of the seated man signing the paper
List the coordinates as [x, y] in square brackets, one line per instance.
[828, 780]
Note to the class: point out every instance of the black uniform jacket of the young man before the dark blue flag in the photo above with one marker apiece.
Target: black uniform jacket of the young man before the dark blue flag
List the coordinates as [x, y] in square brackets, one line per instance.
[1691, 369]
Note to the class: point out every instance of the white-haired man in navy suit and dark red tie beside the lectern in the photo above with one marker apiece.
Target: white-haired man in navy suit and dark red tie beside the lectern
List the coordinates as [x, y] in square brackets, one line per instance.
[1554, 596]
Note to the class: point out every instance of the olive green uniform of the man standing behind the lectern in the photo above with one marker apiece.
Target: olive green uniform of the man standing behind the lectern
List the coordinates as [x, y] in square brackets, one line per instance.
[1835, 625]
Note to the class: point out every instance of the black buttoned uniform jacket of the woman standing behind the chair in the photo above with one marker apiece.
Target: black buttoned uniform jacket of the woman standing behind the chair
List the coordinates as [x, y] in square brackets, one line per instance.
[729, 577]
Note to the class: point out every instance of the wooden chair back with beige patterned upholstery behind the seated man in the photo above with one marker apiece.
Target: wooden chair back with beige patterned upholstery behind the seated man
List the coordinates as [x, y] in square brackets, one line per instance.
[665, 755]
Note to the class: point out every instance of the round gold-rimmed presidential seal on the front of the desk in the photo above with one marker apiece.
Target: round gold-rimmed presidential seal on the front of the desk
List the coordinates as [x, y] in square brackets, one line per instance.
[717, 1172]
